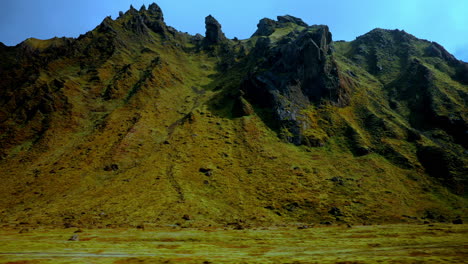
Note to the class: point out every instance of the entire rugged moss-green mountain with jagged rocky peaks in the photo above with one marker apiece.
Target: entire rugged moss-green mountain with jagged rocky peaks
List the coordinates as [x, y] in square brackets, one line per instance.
[135, 123]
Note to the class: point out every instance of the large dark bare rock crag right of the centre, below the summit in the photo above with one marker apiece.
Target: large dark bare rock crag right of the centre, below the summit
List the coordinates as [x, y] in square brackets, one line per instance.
[300, 72]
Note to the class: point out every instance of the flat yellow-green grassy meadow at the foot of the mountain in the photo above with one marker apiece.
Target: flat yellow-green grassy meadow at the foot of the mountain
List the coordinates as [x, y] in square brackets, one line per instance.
[437, 243]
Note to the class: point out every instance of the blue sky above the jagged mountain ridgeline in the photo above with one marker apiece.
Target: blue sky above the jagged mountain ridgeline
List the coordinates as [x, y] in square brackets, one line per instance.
[443, 21]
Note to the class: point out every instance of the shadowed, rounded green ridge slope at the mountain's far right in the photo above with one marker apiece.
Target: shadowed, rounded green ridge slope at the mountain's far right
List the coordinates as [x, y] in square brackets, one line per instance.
[424, 85]
